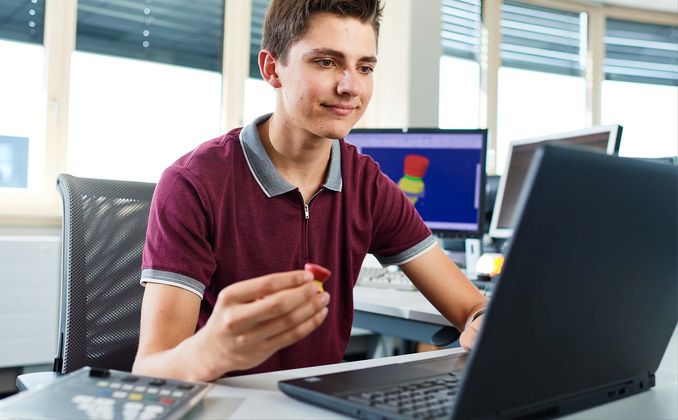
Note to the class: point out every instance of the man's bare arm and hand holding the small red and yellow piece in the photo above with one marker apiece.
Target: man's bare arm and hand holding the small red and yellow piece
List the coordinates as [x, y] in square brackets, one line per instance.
[252, 319]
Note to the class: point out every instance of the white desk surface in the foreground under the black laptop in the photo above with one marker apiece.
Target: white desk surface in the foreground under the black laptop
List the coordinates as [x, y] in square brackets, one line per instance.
[257, 396]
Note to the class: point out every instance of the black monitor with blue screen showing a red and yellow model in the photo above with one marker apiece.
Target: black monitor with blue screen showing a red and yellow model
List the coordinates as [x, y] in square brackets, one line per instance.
[442, 172]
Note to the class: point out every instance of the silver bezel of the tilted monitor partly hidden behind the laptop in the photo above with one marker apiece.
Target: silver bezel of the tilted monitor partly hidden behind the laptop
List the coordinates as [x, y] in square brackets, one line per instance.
[613, 144]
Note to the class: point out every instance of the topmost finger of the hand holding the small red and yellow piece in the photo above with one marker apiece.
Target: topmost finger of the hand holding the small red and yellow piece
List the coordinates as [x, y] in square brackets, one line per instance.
[258, 287]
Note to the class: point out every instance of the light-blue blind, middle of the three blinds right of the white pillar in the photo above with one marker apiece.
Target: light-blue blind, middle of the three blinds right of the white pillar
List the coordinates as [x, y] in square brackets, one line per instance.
[542, 39]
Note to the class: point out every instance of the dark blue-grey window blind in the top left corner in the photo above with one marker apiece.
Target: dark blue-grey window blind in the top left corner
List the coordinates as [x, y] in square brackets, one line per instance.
[22, 20]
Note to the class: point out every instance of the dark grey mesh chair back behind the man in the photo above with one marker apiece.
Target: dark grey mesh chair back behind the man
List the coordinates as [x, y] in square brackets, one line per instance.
[104, 229]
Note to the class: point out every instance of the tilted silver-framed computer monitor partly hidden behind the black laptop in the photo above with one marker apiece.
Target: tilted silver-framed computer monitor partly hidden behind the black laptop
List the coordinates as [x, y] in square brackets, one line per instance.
[604, 138]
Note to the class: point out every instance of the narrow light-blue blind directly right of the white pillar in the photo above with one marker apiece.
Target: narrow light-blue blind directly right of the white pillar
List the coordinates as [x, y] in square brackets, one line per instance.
[460, 31]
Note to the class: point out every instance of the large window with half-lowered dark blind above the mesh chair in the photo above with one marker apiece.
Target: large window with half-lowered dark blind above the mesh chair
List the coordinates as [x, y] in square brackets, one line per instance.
[145, 85]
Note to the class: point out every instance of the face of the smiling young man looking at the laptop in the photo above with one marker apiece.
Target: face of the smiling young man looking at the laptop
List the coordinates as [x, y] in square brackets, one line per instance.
[326, 83]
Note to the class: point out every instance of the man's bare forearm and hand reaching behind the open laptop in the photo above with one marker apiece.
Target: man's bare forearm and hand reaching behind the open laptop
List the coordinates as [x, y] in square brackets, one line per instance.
[446, 287]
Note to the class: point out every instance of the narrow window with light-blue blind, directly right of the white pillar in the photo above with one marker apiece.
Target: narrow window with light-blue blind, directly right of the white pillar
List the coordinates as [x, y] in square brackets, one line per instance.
[459, 94]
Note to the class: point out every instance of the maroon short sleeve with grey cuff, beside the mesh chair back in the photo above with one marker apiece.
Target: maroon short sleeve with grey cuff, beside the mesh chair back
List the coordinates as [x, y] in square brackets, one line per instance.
[178, 249]
